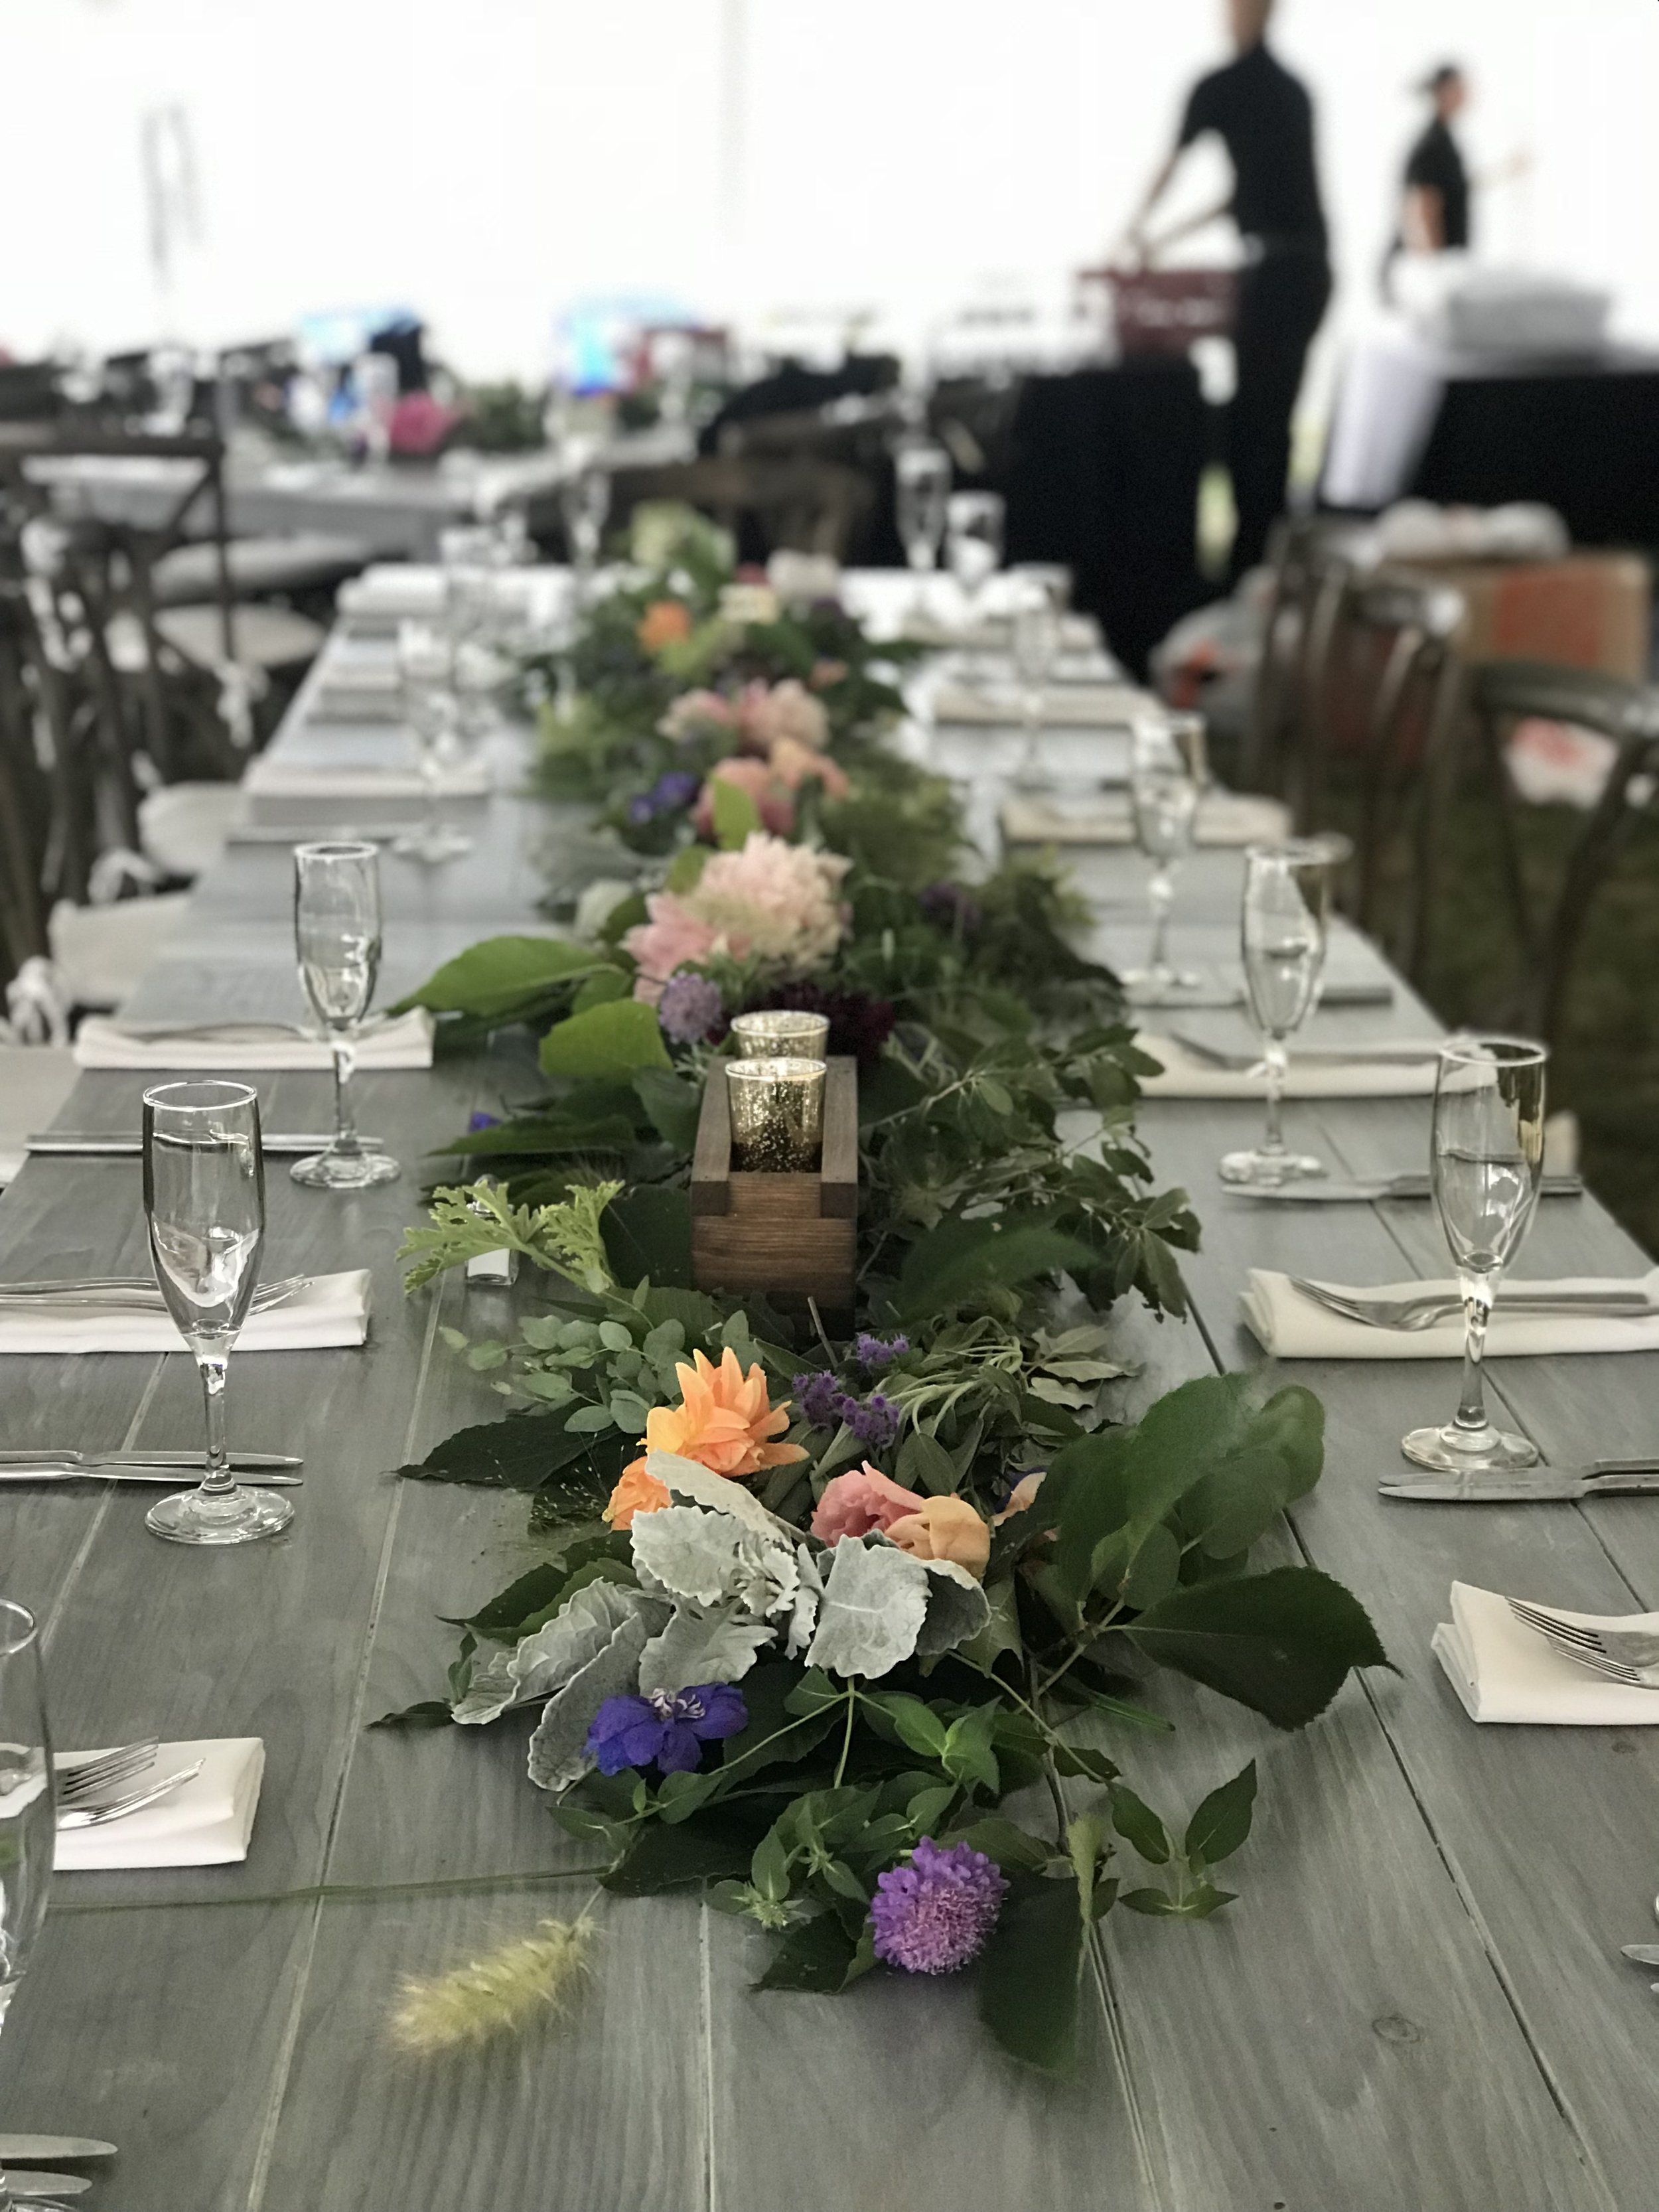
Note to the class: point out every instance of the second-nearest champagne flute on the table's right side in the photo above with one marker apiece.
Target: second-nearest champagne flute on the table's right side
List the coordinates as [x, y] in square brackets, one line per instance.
[1286, 921]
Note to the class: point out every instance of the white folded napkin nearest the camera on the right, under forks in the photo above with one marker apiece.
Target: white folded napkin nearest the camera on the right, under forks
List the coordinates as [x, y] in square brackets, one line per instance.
[1505, 1671]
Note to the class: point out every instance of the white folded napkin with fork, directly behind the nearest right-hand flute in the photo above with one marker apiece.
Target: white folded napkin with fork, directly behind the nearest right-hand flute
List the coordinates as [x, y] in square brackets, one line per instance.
[1297, 1328]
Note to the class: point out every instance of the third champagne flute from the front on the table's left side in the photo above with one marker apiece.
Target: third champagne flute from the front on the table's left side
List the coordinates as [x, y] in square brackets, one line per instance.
[337, 937]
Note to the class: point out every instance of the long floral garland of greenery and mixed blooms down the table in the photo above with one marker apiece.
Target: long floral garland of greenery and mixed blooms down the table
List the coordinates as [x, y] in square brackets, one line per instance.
[813, 1614]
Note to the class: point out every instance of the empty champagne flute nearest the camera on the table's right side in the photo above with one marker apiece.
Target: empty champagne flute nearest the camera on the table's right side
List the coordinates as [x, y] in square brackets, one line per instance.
[1488, 1162]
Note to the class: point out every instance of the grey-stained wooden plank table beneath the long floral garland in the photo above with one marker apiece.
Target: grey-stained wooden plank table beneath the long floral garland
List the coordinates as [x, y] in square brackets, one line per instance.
[1417, 2003]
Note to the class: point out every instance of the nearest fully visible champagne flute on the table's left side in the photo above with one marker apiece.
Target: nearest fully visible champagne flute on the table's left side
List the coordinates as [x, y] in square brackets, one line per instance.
[205, 1204]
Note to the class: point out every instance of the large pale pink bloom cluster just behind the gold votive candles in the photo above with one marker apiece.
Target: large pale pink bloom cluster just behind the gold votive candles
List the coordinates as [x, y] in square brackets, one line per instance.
[771, 901]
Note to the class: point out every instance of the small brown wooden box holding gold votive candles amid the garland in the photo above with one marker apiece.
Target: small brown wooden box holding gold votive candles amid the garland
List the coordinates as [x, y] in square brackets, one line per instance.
[786, 1235]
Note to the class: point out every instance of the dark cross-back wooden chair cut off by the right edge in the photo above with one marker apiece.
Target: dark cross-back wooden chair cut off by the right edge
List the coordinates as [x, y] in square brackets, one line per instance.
[1552, 924]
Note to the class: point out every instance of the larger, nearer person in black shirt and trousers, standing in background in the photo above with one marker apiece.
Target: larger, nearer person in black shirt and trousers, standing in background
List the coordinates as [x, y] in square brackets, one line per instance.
[1266, 123]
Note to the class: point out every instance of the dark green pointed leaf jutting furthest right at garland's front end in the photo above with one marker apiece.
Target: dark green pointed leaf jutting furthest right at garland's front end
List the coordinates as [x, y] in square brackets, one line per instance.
[1280, 1642]
